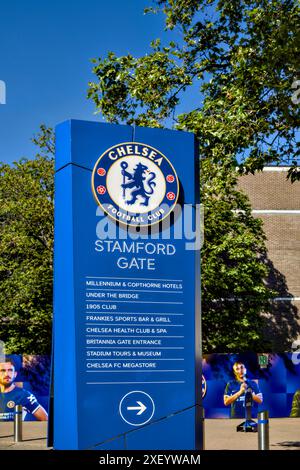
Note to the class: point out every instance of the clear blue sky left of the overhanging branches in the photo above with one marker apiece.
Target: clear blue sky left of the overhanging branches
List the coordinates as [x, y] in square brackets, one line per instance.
[45, 47]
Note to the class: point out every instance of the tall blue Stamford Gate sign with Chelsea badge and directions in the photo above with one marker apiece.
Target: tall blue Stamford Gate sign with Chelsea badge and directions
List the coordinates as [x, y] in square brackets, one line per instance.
[127, 359]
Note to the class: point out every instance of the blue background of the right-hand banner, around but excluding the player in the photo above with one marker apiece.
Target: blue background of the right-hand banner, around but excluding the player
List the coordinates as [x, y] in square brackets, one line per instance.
[278, 382]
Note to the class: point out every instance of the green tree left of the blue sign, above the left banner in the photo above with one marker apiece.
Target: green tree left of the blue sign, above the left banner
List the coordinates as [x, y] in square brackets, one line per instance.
[26, 245]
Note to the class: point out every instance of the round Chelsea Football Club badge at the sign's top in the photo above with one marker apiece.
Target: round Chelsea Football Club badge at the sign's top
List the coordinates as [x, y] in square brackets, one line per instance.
[135, 184]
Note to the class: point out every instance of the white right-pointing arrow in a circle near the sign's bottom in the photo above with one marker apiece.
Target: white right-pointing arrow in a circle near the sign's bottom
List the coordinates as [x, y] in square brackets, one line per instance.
[136, 408]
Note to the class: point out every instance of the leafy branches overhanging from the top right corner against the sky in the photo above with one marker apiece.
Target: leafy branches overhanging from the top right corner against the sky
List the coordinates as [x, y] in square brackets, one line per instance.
[243, 57]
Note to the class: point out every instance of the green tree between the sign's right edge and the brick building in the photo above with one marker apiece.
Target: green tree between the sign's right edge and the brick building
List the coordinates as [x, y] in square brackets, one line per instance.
[234, 292]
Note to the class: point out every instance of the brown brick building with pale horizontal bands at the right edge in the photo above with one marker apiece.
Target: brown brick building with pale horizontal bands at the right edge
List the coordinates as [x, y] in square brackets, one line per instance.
[277, 202]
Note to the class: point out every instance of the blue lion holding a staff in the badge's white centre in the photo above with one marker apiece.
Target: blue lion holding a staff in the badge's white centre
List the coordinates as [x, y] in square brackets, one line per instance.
[136, 183]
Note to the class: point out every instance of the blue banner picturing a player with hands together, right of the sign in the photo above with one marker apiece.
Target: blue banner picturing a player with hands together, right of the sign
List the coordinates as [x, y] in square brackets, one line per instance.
[274, 386]
